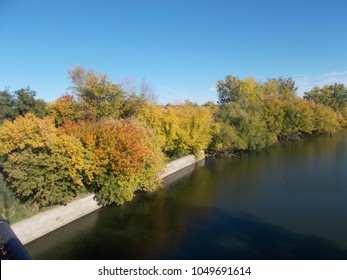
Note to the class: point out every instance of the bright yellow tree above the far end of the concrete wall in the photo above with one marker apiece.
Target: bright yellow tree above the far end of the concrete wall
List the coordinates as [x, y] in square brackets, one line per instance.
[181, 129]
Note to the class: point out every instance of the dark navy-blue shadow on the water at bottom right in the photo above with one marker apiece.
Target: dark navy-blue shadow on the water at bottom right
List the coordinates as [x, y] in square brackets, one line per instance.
[226, 236]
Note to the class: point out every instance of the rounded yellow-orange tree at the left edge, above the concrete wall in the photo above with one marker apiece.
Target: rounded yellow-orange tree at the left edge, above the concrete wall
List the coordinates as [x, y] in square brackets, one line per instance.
[41, 163]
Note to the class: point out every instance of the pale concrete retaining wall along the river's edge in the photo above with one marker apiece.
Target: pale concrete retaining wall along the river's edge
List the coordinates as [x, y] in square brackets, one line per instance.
[50, 220]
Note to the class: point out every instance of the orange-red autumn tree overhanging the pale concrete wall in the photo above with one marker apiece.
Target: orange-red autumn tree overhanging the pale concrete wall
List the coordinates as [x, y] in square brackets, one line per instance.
[126, 157]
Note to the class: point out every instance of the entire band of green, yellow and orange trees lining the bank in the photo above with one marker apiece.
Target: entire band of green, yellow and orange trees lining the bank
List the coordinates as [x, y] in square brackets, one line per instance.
[113, 139]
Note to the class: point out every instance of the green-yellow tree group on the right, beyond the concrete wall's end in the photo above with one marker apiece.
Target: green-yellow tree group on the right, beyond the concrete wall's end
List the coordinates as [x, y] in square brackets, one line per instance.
[252, 115]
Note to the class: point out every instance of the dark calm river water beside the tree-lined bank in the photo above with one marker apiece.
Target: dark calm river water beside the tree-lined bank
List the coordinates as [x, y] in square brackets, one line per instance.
[288, 201]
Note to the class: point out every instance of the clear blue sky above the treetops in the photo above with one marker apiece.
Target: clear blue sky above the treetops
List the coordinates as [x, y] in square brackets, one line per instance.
[180, 47]
